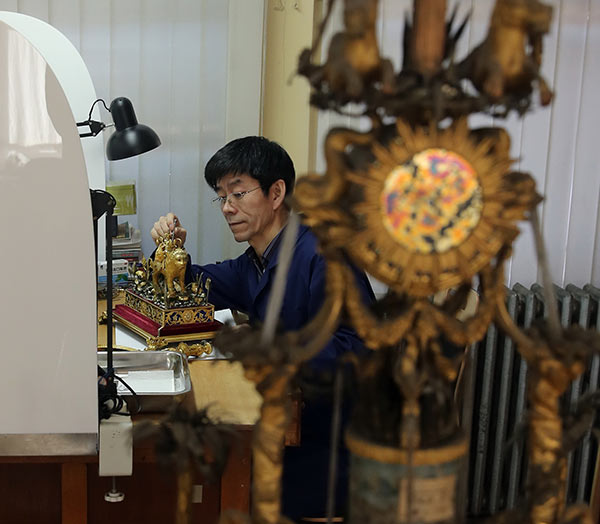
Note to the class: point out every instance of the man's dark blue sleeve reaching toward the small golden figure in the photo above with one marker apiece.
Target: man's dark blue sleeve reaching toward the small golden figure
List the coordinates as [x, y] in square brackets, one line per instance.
[227, 289]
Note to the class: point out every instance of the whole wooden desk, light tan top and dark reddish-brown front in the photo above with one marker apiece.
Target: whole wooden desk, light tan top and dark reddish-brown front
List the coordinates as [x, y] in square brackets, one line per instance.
[68, 490]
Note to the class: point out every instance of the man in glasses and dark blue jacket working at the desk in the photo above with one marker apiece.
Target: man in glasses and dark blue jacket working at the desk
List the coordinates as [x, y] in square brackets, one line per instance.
[252, 177]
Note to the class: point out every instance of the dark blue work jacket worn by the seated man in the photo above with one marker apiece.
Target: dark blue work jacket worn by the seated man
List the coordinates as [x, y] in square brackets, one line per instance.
[237, 284]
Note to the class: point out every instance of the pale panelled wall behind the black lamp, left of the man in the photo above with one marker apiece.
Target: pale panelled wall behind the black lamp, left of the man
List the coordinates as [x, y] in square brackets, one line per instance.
[179, 63]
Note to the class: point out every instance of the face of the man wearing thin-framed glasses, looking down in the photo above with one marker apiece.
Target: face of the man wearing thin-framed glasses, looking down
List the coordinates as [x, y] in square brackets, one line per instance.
[249, 215]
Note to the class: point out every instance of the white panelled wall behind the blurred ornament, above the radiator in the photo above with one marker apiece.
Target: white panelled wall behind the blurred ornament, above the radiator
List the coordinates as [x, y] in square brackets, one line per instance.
[557, 145]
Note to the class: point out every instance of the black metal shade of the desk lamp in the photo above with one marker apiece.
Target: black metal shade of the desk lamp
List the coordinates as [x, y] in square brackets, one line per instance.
[130, 138]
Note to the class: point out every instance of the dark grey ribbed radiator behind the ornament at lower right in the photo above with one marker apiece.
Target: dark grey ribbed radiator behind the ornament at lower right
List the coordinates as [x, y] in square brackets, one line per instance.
[498, 459]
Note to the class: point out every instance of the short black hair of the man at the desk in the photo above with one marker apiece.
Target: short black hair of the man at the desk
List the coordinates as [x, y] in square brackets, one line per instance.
[256, 156]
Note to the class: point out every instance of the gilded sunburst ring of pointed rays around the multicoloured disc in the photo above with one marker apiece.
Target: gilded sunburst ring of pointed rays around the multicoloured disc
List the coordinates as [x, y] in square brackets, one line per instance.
[434, 209]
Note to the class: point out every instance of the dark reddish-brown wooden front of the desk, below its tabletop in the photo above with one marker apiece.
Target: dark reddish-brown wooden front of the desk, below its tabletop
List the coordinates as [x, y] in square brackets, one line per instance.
[68, 490]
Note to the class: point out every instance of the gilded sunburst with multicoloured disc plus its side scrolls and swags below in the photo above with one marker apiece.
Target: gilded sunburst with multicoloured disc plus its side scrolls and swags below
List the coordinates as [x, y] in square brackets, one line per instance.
[425, 212]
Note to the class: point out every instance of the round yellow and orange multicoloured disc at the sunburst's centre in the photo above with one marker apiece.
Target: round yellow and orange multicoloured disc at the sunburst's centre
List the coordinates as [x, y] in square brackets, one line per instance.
[431, 203]
